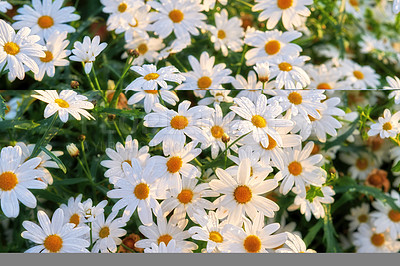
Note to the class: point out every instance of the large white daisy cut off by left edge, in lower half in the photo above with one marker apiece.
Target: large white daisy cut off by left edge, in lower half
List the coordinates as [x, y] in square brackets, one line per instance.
[16, 177]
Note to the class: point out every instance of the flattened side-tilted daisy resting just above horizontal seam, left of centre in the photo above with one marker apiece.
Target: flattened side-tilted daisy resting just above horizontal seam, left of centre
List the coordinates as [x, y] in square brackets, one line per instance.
[151, 78]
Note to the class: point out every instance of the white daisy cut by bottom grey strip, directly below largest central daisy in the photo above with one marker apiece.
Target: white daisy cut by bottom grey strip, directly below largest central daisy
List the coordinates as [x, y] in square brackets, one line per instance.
[255, 238]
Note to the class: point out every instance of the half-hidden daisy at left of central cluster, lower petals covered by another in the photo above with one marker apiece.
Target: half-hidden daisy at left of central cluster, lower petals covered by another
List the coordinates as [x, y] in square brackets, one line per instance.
[121, 154]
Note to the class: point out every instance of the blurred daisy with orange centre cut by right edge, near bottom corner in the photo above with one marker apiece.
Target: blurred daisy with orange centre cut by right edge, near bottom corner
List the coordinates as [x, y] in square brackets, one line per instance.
[385, 218]
